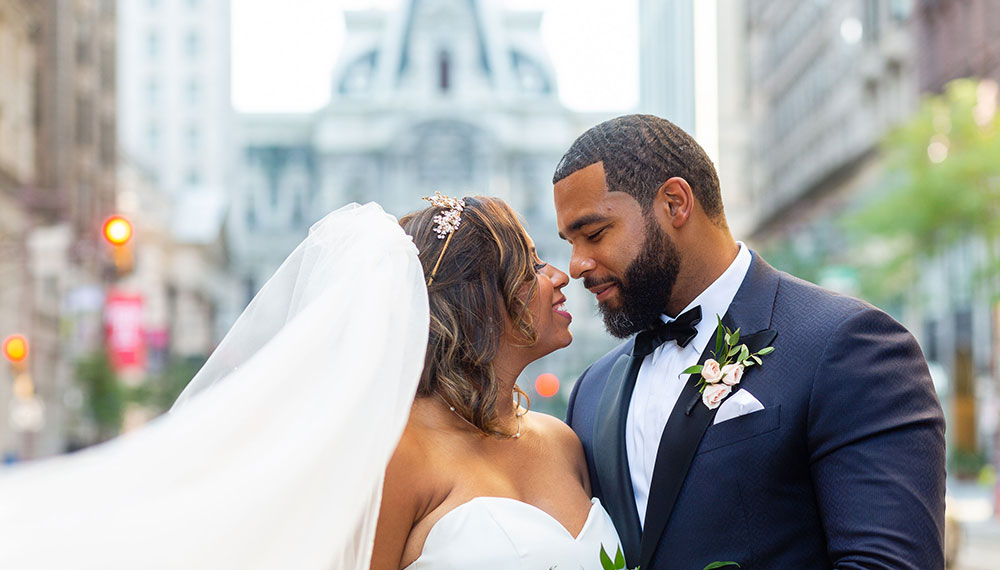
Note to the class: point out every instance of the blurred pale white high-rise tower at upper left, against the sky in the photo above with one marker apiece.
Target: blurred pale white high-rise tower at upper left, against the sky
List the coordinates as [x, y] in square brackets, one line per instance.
[175, 114]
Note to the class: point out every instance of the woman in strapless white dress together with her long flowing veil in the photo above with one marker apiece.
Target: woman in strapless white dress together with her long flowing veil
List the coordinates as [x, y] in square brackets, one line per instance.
[276, 454]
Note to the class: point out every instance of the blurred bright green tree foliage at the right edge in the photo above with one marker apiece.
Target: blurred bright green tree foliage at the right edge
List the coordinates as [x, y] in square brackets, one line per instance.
[941, 186]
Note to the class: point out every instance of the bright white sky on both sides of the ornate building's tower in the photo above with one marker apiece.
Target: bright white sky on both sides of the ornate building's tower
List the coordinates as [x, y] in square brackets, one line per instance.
[284, 51]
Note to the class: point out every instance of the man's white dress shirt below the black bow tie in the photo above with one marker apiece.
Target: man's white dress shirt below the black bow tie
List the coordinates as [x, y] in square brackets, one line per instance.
[659, 383]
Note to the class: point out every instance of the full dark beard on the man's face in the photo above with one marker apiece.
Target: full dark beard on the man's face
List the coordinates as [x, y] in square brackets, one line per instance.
[645, 289]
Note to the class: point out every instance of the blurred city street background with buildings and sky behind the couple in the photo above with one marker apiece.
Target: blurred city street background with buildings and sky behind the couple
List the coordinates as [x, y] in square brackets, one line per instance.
[159, 159]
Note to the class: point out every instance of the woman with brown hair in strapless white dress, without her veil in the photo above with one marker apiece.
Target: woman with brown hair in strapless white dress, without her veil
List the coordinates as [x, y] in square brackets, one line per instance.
[477, 481]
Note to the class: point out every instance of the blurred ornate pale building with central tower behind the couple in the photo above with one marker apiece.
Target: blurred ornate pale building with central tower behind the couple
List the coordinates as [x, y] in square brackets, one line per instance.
[450, 95]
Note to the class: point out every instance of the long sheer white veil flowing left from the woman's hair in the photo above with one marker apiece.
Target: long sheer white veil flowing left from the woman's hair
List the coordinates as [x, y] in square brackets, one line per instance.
[274, 455]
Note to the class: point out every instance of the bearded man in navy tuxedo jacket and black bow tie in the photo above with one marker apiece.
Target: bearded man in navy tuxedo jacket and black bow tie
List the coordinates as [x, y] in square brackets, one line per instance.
[829, 454]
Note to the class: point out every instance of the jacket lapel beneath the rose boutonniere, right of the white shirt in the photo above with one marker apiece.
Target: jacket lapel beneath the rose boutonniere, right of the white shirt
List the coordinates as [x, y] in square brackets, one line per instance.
[751, 309]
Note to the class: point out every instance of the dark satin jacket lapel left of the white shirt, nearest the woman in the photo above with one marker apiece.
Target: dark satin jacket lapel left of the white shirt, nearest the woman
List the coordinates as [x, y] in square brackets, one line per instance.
[610, 455]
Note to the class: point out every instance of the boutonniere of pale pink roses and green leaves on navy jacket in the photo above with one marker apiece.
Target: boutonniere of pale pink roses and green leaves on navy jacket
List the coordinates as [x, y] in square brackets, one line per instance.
[720, 374]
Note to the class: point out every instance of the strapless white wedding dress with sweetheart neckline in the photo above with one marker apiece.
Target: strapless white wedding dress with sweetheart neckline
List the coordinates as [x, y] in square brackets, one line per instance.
[497, 533]
